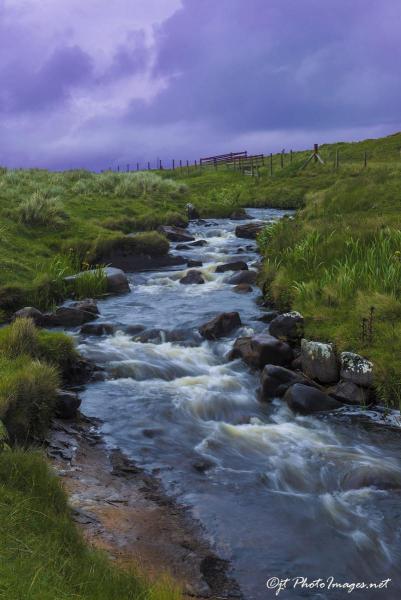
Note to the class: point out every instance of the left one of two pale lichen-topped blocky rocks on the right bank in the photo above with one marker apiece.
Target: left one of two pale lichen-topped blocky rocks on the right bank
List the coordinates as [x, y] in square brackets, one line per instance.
[319, 361]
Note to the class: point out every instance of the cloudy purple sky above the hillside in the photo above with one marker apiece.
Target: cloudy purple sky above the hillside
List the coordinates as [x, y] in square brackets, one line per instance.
[96, 83]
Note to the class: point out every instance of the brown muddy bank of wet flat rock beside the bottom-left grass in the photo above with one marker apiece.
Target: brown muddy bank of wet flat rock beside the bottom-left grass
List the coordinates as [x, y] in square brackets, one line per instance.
[124, 511]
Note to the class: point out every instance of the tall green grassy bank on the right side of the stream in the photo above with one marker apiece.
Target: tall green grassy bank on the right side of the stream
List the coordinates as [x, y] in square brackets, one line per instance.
[339, 261]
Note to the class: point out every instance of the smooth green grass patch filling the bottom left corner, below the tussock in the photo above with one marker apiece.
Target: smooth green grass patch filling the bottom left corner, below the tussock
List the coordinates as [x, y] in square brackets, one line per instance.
[43, 556]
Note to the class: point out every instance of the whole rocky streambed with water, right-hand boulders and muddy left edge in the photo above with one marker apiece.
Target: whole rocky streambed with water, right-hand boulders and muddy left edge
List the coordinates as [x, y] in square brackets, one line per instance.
[263, 440]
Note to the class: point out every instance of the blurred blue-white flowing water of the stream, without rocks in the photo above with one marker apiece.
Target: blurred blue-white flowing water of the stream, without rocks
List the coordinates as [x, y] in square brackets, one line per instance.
[269, 486]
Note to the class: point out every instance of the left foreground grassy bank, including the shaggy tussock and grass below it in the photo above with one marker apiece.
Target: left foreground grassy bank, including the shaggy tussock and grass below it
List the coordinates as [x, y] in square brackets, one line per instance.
[42, 553]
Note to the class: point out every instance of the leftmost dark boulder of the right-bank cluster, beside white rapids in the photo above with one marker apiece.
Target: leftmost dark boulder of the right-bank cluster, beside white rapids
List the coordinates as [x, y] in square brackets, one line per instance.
[261, 349]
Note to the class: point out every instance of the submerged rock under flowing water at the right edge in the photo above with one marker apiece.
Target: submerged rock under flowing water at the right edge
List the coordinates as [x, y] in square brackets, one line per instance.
[379, 477]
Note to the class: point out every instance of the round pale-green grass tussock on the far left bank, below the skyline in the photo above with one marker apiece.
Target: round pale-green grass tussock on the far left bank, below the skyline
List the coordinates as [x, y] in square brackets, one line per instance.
[41, 210]
